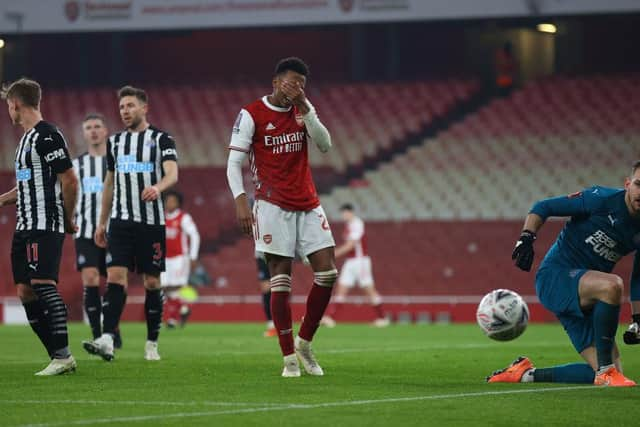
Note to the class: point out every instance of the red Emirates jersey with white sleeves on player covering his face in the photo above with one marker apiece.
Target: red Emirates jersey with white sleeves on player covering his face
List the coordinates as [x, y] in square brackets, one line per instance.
[276, 140]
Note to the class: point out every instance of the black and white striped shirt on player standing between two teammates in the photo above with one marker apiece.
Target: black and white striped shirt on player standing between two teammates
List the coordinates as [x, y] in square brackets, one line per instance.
[91, 171]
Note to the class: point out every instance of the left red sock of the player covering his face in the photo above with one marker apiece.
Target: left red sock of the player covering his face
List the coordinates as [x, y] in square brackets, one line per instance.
[281, 311]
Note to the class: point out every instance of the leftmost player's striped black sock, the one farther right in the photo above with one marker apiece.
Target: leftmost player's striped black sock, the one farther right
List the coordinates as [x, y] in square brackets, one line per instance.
[56, 313]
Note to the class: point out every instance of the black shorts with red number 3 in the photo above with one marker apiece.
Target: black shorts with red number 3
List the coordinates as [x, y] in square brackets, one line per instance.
[139, 247]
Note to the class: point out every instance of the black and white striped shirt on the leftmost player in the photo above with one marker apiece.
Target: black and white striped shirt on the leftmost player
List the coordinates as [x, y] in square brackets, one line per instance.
[41, 155]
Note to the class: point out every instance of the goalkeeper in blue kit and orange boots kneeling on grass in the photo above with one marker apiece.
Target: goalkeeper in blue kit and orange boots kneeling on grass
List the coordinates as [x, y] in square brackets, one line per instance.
[574, 280]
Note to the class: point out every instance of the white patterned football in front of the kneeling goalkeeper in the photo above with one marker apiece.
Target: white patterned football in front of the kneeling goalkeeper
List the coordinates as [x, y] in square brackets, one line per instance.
[502, 315]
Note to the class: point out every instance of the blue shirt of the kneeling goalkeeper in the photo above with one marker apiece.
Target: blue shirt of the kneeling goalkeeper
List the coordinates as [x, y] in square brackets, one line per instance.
[601, 231]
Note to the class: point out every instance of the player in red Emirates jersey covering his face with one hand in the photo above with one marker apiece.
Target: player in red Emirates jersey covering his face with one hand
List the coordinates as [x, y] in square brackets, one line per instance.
[274, 132]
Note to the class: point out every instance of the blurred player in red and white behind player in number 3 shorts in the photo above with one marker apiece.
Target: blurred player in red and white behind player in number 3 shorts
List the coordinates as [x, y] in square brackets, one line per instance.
[183, 244]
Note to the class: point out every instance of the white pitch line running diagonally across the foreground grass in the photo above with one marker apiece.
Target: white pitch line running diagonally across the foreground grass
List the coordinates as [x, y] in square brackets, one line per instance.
[309, 406]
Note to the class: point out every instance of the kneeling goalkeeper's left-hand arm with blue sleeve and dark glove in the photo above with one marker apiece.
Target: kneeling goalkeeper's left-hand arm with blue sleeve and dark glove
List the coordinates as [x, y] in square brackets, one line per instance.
[572, 205]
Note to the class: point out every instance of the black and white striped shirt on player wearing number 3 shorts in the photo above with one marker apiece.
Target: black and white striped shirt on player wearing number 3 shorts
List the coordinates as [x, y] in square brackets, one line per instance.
[135, 158]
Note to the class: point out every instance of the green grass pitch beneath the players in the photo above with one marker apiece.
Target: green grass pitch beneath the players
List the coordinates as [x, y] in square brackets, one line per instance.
[227, 374]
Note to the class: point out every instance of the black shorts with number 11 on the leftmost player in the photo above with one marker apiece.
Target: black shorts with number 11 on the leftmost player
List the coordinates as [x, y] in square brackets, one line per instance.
[36, 254]
